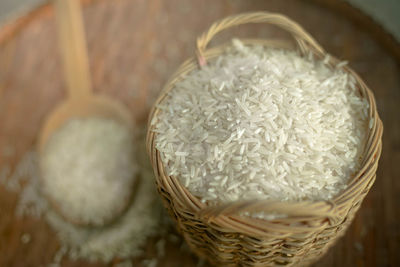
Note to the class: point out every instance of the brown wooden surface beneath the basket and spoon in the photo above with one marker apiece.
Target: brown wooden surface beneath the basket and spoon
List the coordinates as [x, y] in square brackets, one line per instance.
[134, 45]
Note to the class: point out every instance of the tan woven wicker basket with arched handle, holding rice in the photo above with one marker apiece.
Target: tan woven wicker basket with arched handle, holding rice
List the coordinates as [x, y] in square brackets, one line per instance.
[225, 238]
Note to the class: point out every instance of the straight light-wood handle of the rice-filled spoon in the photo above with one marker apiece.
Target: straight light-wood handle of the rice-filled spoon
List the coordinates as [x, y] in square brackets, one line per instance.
[72, 42]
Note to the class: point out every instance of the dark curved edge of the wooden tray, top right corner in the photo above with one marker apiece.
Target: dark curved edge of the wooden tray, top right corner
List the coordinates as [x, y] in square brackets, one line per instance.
[364, 21]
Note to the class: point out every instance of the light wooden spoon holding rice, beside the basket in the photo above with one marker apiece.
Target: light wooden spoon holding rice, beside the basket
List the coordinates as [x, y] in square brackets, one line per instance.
[80, 102]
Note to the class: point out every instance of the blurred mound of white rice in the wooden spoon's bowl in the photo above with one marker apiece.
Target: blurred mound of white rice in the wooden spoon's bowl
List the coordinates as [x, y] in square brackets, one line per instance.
[88, 169]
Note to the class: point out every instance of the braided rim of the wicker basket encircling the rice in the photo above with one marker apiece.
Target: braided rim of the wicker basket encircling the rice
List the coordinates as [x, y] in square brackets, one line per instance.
[332, 211]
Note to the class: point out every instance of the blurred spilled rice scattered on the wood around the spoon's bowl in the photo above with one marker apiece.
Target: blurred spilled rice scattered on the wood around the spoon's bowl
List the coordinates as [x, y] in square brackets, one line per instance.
[123, 239]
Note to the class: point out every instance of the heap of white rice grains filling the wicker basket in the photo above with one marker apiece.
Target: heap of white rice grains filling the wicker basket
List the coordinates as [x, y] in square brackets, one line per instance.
[263, 123]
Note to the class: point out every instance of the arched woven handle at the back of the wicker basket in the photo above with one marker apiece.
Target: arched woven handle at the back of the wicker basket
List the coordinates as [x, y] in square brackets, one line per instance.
[303, 38]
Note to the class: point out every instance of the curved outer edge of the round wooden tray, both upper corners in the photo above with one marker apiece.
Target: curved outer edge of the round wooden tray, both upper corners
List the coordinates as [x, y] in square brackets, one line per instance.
[384, 38]
